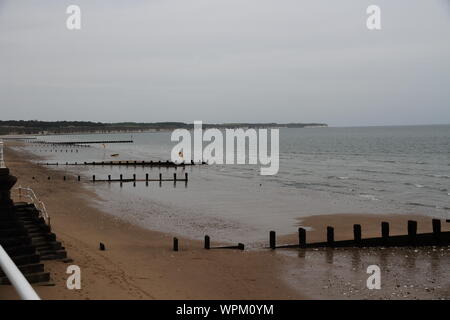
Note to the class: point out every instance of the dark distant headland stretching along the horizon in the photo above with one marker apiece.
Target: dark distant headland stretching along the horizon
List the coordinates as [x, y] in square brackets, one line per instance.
[71, 127]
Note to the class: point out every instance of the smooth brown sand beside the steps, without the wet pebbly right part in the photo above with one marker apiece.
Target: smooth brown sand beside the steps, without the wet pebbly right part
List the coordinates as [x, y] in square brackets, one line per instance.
[138, 263]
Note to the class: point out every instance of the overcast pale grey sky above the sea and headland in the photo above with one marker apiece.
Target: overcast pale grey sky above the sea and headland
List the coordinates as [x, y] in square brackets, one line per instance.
[226, 61]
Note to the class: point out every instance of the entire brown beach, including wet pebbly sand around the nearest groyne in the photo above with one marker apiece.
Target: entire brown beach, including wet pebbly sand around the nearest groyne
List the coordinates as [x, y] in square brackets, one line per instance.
[139, 263]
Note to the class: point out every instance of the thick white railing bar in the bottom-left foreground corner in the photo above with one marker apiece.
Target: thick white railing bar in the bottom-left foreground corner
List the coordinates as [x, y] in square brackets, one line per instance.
[17, 279]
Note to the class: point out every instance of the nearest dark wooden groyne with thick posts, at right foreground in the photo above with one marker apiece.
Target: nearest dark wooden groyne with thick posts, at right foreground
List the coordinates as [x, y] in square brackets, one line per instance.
[411, 239]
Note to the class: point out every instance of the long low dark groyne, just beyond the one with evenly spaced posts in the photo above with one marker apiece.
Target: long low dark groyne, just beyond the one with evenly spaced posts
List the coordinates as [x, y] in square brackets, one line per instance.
[143, 163]
